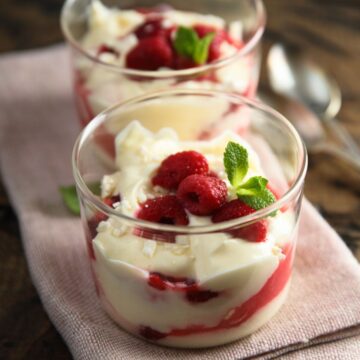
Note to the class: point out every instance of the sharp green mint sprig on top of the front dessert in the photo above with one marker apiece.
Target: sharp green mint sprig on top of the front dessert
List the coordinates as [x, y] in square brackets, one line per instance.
[254, 191]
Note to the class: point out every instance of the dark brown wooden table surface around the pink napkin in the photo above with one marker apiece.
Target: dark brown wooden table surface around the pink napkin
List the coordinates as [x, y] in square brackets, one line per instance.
[327, 30]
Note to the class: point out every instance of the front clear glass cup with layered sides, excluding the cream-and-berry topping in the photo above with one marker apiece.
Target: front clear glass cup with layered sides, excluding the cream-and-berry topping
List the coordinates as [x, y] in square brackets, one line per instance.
[236, 285]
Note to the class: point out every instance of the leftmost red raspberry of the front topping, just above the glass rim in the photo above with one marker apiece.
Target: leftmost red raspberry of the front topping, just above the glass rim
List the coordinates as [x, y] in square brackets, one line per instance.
[163, 210]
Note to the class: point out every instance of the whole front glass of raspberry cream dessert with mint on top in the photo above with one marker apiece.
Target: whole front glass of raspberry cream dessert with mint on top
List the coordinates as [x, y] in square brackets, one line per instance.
[192, 236]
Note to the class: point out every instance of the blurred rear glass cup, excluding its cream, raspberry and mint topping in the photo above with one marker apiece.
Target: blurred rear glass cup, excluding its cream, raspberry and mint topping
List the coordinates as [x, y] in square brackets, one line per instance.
[99, 84]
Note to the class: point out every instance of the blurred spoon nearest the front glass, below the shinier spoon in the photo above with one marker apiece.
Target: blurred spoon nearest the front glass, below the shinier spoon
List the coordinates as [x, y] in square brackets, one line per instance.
[308, 125]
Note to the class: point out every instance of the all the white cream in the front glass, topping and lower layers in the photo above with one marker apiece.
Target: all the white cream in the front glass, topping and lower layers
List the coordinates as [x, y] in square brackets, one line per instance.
[216, 261]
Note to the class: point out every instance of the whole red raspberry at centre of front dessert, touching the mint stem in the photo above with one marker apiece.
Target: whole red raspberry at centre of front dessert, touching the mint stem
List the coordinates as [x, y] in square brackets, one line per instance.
[201, 194]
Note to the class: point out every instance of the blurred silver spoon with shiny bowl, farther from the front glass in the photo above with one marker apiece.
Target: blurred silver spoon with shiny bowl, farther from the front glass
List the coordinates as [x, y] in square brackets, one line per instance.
[293, 75]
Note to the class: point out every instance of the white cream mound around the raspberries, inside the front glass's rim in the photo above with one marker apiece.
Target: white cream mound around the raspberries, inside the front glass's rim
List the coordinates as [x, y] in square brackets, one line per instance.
[139, 153]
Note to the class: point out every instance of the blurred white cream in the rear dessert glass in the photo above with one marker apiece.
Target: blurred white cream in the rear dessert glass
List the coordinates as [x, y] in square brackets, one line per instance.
[114, 27]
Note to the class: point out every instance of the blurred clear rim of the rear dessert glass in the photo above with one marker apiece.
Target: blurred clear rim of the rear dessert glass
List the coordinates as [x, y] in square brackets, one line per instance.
[248, 47]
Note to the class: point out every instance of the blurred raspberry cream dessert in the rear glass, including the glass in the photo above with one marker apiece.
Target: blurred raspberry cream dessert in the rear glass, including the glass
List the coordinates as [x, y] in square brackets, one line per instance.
[136, 47]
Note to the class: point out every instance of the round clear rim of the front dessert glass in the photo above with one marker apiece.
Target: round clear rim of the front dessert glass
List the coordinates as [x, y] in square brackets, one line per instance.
[293, 190]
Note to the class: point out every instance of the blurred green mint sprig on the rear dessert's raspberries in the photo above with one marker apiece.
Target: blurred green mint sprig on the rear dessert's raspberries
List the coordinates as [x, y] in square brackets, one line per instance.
[188, 43]
